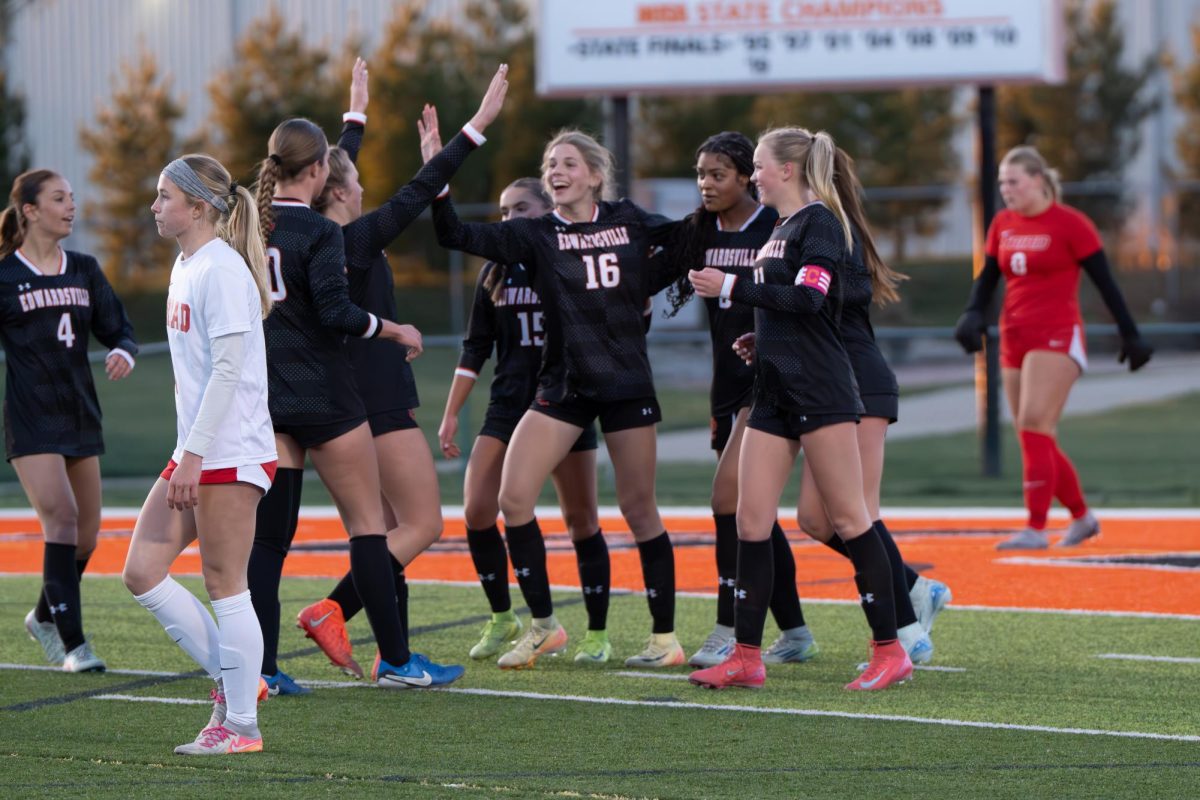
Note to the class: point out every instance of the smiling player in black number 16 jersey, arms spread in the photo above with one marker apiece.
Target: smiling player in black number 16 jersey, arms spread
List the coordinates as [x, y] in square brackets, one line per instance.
[590, 266]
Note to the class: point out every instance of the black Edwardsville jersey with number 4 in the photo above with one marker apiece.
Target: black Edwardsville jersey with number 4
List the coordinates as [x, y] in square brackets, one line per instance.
[51, 405]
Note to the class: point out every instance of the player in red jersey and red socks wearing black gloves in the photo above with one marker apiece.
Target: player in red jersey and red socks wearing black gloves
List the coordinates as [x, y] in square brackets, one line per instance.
[1040, 246]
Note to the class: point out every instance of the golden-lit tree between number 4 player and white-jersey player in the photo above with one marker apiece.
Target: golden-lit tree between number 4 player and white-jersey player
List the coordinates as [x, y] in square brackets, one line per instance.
[133, 140]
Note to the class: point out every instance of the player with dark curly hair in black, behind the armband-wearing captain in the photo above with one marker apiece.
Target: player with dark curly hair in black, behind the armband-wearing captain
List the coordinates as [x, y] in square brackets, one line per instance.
[727, 232]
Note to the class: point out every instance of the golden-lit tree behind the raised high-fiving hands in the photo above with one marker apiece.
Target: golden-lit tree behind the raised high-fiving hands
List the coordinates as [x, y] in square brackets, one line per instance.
[424, 57]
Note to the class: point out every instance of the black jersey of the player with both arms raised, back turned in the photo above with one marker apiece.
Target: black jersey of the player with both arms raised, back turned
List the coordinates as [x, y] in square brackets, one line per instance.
[383, 374]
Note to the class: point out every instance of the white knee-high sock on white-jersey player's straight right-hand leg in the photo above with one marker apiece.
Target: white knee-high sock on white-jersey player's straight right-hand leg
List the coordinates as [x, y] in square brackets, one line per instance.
[242, 655]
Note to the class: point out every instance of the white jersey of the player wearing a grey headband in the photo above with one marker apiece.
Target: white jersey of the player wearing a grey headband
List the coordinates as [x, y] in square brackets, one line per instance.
[213, 294]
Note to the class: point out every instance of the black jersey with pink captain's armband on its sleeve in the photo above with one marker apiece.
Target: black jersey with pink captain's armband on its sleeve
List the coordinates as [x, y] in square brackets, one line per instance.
[801, 365]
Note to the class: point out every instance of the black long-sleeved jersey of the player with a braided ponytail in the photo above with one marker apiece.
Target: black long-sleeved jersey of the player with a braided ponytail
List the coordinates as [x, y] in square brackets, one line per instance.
[310, 380]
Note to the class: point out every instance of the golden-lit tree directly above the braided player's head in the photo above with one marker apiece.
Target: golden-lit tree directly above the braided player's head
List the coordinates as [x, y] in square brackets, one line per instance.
[273, 76]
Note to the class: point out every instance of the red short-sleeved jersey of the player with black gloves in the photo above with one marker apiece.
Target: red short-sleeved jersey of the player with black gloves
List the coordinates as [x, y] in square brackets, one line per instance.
[1040, 257]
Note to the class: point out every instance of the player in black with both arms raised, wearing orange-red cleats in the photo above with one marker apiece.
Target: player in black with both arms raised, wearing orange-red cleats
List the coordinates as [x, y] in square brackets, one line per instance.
[409, 479]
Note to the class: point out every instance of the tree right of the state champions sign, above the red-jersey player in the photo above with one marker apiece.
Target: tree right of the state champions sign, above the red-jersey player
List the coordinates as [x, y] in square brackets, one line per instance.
[1088, 128]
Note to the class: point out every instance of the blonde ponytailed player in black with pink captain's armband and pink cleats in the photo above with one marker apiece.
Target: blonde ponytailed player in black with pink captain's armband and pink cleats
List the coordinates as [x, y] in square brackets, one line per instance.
[806, 393]
